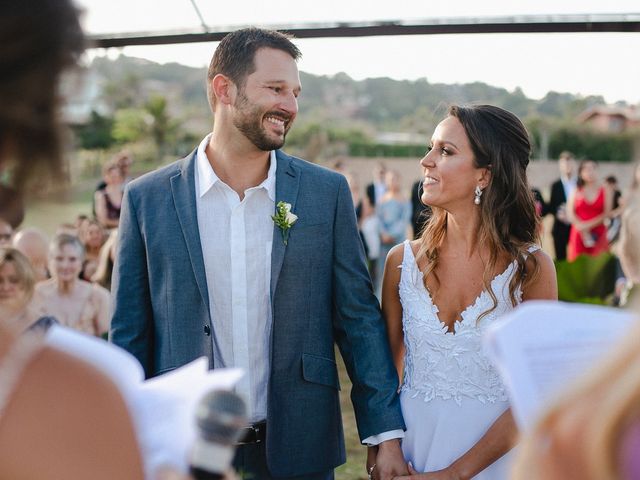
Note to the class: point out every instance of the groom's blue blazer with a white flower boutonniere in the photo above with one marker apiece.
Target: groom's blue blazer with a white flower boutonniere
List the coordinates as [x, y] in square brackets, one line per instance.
[321, 295]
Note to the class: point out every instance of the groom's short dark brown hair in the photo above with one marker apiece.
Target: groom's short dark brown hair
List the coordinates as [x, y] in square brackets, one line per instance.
[235, 54]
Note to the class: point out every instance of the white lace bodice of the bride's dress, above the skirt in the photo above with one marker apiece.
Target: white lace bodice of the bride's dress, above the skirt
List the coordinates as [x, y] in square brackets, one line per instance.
[443, 364]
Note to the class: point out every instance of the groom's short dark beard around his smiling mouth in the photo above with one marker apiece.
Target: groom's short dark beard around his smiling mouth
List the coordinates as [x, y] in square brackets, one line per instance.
[249, 121]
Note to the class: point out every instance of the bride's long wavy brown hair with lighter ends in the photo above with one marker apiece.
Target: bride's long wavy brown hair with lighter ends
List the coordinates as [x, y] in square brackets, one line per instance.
[508, 221]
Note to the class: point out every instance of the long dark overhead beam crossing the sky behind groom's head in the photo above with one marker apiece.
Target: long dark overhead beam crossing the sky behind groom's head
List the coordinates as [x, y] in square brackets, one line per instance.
[626, 23]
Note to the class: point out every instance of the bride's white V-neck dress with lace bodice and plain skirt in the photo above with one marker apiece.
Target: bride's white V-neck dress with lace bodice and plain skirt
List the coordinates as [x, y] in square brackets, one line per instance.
[451, 394]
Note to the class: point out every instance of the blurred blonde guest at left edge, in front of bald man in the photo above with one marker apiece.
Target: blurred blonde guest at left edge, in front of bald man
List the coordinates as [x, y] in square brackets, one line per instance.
[17, 281]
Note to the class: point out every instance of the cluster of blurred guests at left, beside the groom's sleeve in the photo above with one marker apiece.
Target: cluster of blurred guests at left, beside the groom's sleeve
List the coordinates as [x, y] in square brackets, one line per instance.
[66, 279]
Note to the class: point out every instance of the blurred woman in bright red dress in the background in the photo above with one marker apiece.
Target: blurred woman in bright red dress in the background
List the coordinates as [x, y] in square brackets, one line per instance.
[588, 207]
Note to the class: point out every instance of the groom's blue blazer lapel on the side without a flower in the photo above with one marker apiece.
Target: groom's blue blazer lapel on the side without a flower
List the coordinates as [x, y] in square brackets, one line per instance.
[184, 199]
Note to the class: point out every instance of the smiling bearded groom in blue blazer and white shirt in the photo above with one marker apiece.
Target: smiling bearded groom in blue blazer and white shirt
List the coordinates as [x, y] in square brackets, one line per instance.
[204, 269]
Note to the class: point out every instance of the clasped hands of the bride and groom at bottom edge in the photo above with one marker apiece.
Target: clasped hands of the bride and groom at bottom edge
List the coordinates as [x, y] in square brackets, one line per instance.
[386, 462]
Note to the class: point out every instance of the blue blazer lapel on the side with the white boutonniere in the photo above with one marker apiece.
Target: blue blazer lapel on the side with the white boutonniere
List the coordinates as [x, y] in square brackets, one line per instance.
[287, 183]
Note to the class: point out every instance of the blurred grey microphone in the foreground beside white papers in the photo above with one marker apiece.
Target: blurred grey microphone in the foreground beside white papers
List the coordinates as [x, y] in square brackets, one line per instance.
[220, 419]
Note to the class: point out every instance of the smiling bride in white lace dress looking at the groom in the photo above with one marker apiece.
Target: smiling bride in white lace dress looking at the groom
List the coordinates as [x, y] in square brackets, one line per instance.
[475, 261]
